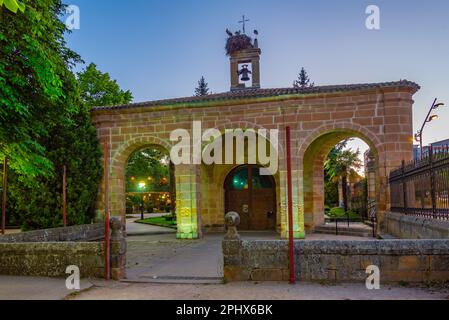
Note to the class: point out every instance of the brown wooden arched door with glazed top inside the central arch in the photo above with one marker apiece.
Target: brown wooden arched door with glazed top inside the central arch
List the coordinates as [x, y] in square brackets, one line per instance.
[253, 196]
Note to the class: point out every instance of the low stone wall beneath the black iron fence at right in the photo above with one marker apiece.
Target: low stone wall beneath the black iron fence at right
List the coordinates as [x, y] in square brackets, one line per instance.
[410, 227]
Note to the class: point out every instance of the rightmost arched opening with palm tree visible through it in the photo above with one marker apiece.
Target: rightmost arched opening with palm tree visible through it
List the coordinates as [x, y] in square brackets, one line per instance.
[333, 190]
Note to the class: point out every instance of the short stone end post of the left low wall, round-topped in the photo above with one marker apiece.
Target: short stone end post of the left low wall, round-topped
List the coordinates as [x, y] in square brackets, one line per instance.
[118, 250]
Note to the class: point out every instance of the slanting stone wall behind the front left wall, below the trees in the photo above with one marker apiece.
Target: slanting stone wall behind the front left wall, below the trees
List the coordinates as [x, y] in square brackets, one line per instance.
[90, 232]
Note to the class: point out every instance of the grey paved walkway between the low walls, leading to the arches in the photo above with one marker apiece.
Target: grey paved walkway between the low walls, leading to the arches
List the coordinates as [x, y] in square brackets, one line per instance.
[155, 255]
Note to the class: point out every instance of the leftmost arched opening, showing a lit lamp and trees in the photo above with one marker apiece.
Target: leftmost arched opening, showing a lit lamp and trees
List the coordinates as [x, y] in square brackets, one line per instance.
[150, 185]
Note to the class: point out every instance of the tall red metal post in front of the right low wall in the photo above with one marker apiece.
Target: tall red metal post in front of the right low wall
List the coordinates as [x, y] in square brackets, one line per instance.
[290, 208]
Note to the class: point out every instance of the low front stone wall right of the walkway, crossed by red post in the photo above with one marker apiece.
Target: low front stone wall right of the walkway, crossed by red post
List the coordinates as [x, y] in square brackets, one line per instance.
[398, 260]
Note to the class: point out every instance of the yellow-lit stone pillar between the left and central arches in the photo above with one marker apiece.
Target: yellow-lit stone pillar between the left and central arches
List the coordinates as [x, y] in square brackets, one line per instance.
[187, 201]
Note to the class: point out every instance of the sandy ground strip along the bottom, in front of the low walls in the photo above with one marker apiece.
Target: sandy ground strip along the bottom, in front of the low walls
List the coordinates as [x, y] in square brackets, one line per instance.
[259, 291]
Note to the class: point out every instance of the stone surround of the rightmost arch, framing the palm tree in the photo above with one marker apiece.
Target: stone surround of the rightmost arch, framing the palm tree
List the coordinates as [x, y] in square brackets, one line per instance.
[313, 153]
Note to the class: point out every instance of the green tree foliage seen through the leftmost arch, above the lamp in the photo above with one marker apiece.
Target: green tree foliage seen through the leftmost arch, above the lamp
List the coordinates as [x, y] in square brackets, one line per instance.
[148, 163]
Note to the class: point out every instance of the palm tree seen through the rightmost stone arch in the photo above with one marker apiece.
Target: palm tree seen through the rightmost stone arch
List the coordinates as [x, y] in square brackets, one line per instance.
[341, 165]
